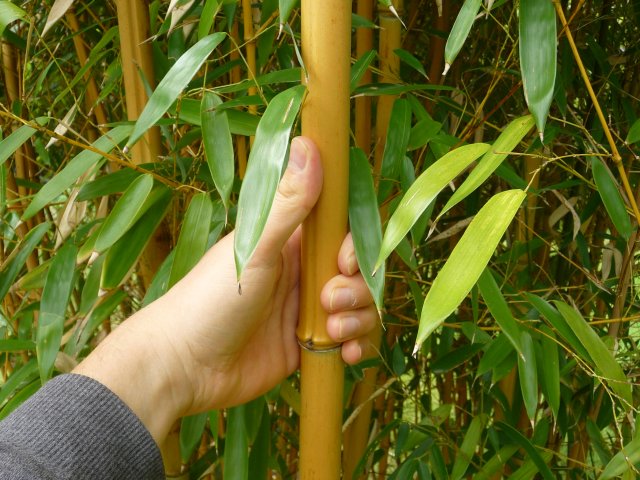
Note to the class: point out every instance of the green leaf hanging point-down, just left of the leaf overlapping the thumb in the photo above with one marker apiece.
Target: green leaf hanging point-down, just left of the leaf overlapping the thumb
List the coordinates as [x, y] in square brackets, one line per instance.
[218, 145]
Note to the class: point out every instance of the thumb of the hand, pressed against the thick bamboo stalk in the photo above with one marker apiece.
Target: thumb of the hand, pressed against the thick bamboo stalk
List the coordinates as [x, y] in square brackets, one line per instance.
[297, 194]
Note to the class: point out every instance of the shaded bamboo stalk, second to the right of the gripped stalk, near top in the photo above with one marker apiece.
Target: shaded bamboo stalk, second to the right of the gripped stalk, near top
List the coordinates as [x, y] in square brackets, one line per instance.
[390, 40]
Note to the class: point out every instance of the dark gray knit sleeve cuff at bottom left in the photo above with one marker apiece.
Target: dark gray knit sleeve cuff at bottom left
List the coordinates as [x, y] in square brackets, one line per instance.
[76, 428]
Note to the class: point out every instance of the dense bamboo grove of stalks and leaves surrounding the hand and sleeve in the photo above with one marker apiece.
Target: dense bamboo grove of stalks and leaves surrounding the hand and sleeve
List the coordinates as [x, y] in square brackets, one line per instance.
[493, 185]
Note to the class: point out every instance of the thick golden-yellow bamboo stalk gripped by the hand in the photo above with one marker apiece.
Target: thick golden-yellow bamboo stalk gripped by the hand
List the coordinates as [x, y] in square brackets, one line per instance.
[326, 43]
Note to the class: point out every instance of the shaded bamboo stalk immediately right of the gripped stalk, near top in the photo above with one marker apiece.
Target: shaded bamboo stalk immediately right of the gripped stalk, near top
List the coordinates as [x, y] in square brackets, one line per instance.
[364, 43]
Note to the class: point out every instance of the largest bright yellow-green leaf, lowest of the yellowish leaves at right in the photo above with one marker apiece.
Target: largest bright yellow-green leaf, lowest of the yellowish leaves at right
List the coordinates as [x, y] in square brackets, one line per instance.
[467, 261]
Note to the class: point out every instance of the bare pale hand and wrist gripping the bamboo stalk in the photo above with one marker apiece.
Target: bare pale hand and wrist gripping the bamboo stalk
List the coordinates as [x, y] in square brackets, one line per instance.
[203, 346]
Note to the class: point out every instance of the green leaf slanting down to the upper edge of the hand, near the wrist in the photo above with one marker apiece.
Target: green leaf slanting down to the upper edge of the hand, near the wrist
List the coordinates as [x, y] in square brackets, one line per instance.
[192, 242]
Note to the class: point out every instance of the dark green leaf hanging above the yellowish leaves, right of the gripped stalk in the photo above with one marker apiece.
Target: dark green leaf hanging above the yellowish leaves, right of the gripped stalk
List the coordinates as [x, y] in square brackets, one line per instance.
[395, 147]
